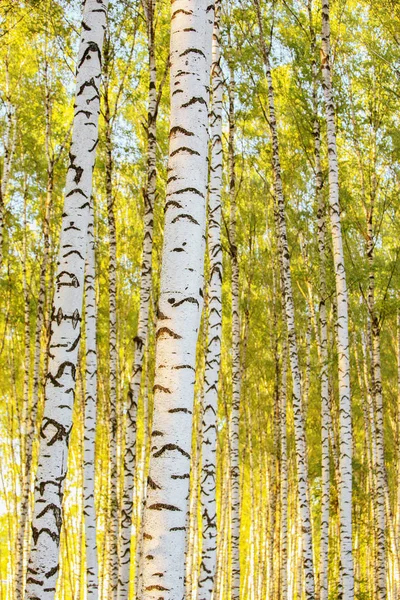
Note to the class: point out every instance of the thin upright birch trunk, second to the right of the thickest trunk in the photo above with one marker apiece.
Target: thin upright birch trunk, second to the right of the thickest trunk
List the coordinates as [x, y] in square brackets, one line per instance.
[236, 370]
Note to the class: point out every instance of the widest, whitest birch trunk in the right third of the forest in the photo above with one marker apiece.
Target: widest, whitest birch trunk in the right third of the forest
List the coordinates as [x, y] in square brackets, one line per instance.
[346, 444]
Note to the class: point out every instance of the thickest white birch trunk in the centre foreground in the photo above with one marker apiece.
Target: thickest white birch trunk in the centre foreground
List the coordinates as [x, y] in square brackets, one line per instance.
[181, 298]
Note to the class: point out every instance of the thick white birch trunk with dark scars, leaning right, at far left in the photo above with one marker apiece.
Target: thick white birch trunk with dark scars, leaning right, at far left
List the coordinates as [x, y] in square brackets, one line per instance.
[66, 314]
